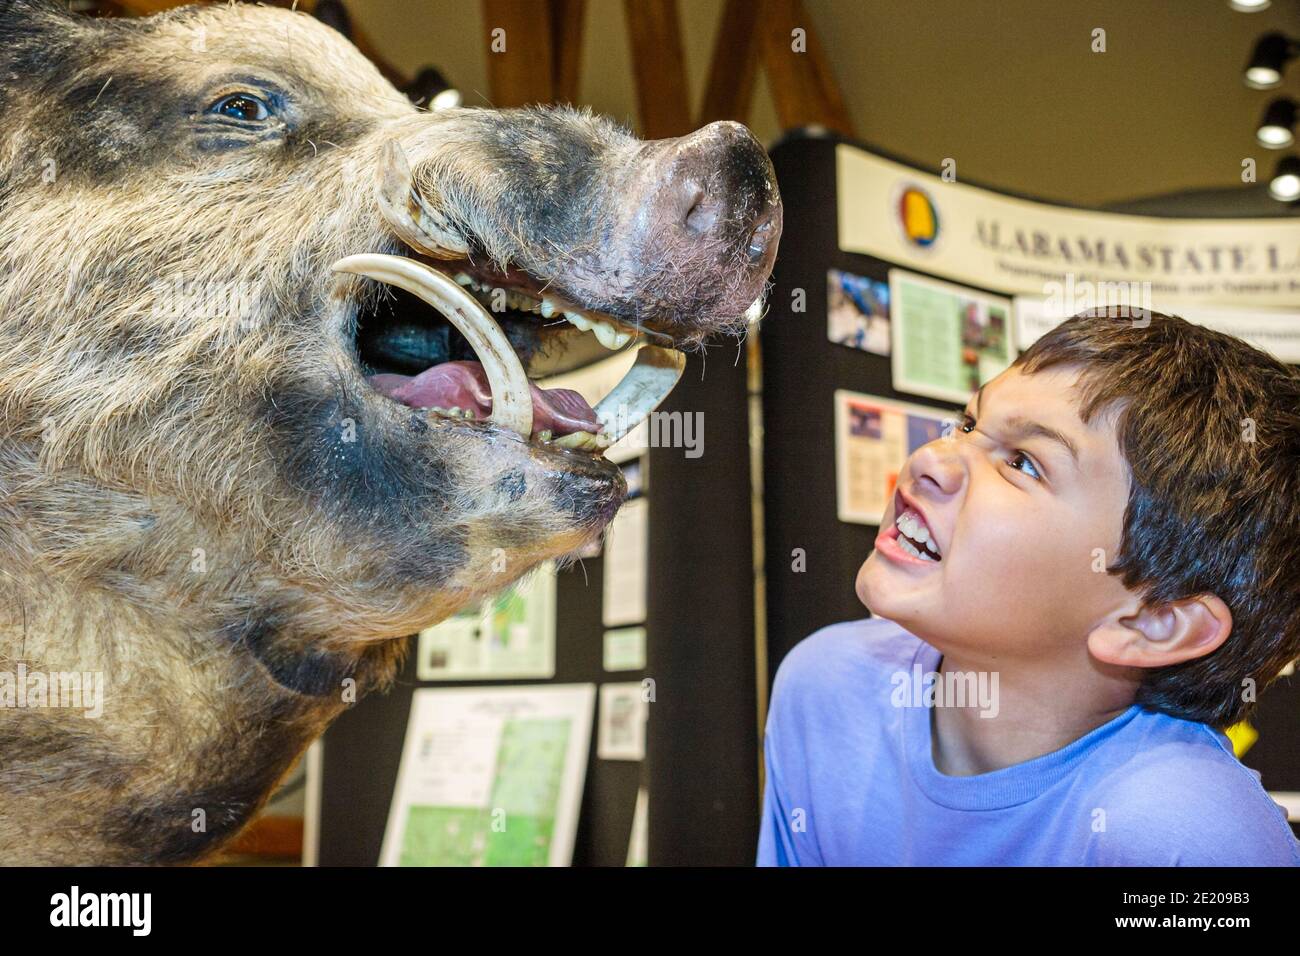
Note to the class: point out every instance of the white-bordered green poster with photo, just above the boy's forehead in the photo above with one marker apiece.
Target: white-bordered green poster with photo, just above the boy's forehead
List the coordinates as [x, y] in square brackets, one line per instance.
[948, 340]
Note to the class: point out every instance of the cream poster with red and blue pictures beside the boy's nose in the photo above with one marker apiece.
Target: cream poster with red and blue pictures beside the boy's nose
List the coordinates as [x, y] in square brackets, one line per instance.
[873, 440]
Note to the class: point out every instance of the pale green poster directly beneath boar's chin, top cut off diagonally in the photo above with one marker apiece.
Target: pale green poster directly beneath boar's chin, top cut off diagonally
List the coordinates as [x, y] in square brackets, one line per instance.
[510, 635]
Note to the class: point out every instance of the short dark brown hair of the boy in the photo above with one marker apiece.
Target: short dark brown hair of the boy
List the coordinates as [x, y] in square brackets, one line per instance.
[1211, 431]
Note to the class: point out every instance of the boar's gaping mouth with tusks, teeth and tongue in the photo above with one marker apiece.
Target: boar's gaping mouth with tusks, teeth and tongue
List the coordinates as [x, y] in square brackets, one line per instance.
[462, 364]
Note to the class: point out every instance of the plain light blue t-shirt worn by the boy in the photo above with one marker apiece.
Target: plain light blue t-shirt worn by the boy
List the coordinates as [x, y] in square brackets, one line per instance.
[851, 780]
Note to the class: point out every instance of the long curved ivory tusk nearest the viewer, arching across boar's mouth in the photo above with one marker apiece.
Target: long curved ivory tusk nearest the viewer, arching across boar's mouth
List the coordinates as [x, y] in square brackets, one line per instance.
[512, 396]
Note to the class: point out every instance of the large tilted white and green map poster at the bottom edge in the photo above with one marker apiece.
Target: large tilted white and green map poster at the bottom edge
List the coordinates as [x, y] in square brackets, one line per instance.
[491, 777]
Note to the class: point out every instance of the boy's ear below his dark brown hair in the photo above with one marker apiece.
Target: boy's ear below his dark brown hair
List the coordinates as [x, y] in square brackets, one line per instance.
[1160, 637]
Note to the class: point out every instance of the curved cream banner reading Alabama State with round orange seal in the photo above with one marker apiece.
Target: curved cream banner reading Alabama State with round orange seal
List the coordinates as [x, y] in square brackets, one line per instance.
[998, 243]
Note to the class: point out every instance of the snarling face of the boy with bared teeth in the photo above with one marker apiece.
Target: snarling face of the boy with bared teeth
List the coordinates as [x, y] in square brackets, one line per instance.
[1017, 520]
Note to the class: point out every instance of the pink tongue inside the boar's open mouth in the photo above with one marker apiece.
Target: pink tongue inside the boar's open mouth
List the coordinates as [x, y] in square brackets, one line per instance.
[465, 386]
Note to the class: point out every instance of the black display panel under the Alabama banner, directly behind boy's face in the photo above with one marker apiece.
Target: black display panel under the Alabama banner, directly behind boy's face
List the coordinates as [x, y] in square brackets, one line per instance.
[813, 559]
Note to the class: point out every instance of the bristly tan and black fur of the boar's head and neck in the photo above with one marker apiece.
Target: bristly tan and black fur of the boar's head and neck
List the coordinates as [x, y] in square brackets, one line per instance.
[215, 512]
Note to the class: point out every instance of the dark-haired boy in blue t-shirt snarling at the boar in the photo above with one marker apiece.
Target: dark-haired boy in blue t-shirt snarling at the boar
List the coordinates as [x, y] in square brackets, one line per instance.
[1102, 565]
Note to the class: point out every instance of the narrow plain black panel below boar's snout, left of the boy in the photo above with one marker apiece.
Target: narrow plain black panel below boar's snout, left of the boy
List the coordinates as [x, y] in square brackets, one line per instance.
[703, 745]
